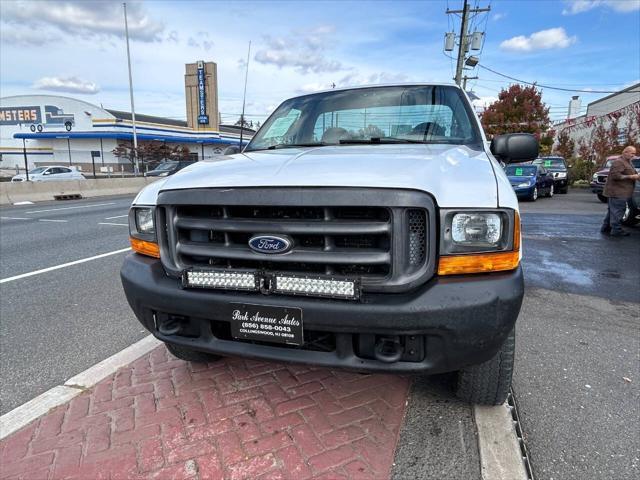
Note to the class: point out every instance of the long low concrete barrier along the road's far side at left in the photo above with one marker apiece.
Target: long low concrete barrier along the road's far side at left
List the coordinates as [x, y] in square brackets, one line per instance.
[14, 192]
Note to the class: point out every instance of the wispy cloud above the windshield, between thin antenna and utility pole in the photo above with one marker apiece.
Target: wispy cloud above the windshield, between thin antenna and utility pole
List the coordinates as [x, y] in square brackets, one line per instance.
[302, 51]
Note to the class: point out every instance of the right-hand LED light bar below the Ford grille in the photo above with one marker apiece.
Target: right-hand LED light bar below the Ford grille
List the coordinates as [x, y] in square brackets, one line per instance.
[316, 287]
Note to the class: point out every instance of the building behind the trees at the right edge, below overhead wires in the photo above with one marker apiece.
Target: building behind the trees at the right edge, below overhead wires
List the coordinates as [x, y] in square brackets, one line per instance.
[622, 106]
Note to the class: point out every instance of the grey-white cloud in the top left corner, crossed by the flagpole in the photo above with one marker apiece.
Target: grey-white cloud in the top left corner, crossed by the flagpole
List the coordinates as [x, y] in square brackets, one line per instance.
[85, 19]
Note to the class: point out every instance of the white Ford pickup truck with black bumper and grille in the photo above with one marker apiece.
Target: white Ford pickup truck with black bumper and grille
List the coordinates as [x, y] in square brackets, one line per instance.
[367, 228]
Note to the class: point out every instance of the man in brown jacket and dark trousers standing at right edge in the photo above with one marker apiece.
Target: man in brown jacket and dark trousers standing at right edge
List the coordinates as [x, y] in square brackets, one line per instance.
[618, 189]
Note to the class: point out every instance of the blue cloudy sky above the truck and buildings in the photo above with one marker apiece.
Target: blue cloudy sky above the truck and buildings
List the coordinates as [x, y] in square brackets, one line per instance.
[77, 48]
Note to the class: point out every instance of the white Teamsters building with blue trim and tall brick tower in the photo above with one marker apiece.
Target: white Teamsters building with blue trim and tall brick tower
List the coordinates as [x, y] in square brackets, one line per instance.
[38, 130]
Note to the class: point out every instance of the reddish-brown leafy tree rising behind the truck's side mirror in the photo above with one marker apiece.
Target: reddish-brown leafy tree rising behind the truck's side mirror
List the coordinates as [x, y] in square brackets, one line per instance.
[518, 109]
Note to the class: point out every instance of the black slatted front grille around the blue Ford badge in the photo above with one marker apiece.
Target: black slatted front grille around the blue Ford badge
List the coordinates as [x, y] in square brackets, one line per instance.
[381, 245]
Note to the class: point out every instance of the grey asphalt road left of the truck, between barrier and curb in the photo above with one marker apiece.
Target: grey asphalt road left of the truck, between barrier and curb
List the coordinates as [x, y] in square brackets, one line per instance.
[57, 324]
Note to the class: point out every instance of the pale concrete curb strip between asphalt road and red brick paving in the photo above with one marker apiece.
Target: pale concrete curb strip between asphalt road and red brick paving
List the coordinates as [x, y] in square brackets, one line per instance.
[21, 416]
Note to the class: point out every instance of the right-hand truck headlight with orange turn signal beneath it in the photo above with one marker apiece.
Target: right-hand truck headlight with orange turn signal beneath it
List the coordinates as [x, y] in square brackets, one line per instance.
[479, 241]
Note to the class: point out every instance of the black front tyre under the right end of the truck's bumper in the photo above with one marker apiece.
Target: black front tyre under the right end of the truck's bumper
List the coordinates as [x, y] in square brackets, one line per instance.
[489, 382]
